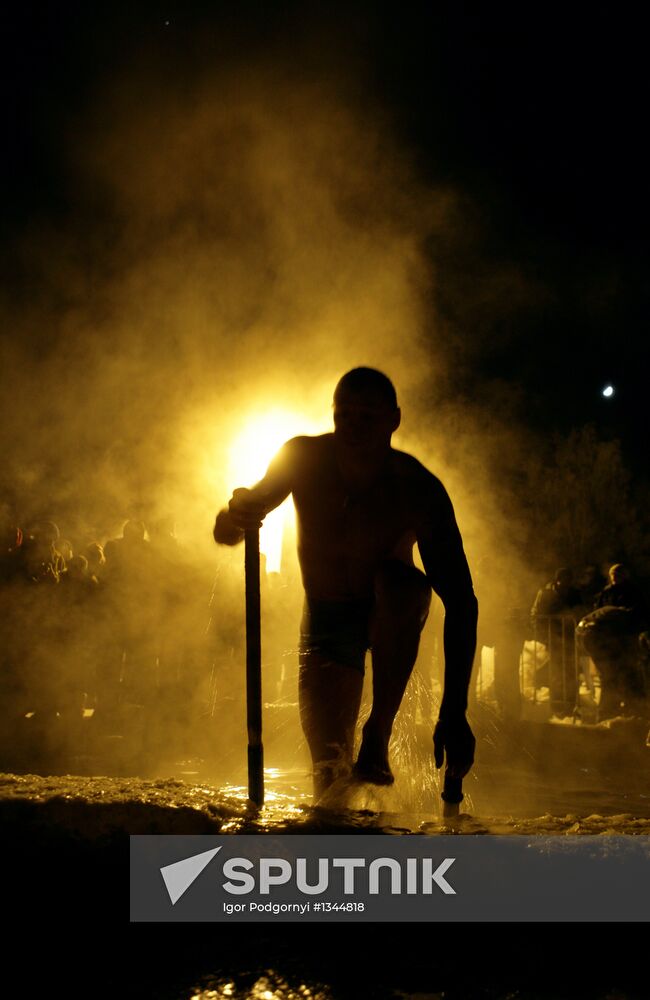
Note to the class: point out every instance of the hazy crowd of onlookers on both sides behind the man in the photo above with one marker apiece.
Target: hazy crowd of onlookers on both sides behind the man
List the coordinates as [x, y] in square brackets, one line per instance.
[131, 621]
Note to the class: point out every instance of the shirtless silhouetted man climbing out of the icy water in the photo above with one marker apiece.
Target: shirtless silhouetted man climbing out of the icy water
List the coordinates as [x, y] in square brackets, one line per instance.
[361, 506]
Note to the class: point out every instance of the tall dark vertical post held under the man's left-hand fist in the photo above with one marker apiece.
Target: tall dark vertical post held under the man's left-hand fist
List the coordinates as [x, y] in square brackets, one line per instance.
[254, 668]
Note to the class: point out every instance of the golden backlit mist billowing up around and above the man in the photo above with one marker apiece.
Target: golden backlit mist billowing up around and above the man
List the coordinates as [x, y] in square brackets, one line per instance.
[234, 244]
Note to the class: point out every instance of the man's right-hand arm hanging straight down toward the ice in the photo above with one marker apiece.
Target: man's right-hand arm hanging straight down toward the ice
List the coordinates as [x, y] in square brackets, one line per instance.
[445, 564]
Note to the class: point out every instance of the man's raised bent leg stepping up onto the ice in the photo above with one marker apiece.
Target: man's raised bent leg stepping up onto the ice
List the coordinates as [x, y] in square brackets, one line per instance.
[402, 601]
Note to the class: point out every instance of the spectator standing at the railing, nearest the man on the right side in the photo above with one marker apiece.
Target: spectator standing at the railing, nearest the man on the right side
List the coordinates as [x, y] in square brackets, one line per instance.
[555, 612]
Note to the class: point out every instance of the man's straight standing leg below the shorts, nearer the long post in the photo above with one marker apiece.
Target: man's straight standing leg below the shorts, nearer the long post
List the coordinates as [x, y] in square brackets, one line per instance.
[330, 698]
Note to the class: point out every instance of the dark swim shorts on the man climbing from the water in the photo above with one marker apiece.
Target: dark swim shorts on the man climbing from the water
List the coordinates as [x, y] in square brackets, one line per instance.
[338, 630]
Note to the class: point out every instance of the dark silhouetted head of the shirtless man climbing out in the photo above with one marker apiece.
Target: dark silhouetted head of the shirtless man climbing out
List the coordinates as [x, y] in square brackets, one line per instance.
[365, 410]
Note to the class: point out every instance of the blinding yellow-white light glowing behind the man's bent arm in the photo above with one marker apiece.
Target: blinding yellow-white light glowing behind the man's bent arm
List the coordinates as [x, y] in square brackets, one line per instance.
[251, 453]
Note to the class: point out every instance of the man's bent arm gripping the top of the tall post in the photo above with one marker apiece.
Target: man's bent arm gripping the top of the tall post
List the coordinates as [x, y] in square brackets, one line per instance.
[247, 508]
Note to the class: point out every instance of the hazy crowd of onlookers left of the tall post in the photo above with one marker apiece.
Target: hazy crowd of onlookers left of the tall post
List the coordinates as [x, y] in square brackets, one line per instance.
[90, 629]
